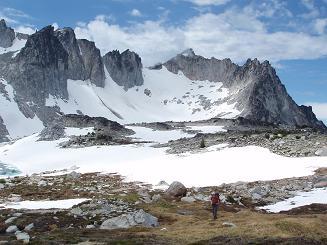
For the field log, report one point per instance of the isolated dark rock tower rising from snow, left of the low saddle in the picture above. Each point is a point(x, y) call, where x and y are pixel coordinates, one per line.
point(124, 68)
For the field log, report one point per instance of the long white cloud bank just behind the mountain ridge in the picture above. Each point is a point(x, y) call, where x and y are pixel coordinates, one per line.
point(235, 33)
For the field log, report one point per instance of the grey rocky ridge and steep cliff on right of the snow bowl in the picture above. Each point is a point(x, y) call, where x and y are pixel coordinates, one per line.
point(254, 87)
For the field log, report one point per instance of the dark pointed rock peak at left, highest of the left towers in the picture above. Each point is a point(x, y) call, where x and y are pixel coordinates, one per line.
point(40, 68)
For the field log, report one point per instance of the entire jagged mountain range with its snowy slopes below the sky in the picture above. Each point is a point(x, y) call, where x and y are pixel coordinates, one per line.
point(54, 64)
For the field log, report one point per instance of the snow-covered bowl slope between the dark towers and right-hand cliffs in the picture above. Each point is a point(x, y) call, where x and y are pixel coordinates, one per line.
point(163, 96)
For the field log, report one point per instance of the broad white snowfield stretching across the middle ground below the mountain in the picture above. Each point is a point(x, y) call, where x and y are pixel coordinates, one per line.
point(141, 162)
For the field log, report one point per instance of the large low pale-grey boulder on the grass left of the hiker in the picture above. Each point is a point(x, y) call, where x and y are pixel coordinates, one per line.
point(137, 218)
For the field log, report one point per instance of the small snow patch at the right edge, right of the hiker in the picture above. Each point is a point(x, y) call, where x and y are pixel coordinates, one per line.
point(301, 199)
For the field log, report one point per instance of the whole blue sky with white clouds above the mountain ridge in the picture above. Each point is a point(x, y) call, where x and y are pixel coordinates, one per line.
point(291, 34)
